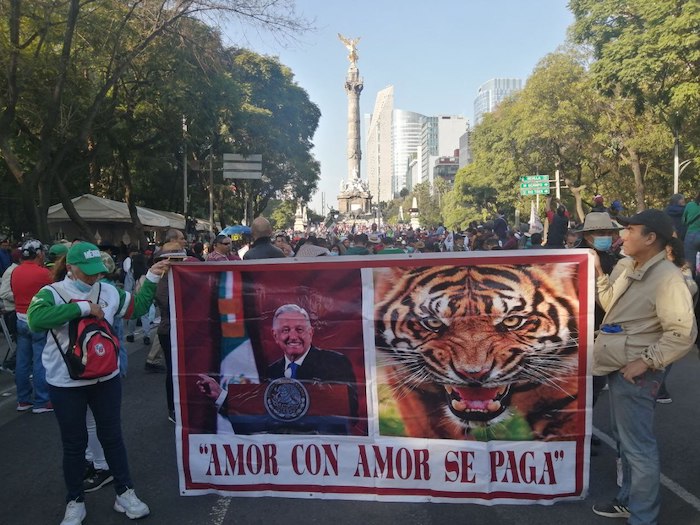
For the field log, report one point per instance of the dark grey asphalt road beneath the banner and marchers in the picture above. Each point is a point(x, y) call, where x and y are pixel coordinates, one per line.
point(33, 491)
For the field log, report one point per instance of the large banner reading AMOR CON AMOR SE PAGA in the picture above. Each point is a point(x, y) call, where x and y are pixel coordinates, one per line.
point(441, 377)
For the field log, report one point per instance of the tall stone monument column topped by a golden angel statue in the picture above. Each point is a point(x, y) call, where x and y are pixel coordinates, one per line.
point(354, 199)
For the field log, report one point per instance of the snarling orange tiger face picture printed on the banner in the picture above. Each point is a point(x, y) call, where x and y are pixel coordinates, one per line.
point(470, 346)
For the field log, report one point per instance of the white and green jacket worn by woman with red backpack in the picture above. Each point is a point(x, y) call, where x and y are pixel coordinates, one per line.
point(48, 311)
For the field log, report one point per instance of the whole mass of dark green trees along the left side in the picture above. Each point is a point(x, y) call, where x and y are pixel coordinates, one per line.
point(93, 96)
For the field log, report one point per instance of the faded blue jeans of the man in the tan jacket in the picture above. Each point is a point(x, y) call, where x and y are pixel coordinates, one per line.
point(632, 414)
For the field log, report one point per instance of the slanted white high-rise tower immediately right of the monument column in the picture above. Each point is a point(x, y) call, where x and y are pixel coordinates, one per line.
point(380, 147)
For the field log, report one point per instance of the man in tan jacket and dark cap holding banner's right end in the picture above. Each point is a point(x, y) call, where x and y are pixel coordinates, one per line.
point(649, 324)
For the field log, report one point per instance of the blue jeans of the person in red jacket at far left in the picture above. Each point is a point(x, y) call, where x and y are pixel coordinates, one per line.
point(30, 346)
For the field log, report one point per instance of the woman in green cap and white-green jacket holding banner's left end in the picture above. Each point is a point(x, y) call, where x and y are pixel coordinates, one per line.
point(78, 295)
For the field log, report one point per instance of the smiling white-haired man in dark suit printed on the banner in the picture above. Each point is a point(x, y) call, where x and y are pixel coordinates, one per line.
point(293, 334)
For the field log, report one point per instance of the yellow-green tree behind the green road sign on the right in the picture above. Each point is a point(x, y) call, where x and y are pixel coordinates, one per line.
point(560, 121)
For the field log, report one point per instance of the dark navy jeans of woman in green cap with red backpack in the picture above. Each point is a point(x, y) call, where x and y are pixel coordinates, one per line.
point(70, 406)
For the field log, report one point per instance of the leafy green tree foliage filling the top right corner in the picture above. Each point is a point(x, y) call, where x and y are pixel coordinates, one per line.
point(649, 53)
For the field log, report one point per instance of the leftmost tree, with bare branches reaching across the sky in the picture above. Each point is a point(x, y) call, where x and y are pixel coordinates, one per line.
point(61, 65)
